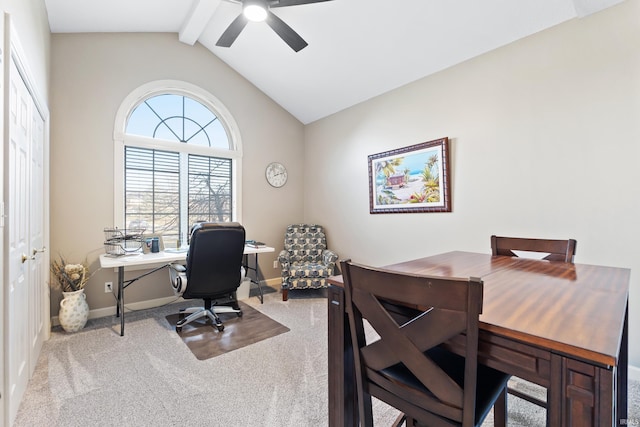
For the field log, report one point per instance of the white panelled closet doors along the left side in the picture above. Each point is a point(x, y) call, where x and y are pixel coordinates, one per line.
point(26, 296)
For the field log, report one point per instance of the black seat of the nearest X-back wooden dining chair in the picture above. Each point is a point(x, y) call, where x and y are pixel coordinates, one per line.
point(490, 382)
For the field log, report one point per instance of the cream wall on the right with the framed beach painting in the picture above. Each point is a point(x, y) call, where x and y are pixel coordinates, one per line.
point(545, 141)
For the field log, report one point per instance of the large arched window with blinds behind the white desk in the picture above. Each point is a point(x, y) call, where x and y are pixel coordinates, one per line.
point(177, 161)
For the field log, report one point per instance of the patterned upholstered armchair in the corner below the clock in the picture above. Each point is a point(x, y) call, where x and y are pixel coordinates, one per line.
point(306, 262)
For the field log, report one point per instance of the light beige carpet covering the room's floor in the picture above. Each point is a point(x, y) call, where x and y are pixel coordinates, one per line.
point(149, 377)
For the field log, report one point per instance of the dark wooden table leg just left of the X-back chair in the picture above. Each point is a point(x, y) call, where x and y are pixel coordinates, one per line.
point(342, 393)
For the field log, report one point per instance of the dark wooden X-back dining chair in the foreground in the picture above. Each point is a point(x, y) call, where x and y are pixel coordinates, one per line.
point(406, 367)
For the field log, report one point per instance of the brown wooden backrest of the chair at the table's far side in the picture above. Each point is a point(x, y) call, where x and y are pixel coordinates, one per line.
point(558, 250)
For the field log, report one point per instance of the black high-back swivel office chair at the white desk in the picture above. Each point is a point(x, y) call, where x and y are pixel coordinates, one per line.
point(213, 272)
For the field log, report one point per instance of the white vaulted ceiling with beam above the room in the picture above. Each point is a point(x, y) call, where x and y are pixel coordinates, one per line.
point(358, 49)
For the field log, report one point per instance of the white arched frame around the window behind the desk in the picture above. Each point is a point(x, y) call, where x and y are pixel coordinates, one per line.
point(121, 139)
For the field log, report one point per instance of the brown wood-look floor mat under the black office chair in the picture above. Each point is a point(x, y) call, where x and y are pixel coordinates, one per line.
point(205, 342)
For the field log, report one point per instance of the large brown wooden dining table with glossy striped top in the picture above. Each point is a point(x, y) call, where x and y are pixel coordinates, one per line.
point(562, 326)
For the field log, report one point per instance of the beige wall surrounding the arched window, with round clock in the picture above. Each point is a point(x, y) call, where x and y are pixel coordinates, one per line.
point(91, 76)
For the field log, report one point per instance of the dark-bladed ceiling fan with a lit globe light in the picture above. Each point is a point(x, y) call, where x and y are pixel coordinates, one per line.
point(259, 10)
